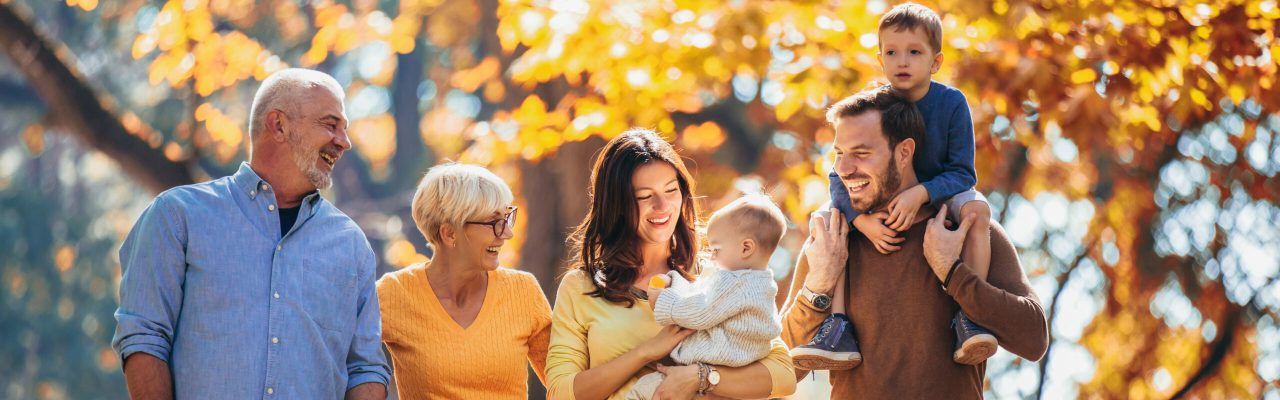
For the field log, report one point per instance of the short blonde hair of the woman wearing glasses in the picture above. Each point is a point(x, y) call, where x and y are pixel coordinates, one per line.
point(452, 194)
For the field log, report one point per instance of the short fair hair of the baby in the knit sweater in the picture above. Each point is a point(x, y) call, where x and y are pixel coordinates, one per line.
point(756, 216)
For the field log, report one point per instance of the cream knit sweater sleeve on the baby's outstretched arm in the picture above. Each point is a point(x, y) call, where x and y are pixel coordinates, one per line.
point(706, 307)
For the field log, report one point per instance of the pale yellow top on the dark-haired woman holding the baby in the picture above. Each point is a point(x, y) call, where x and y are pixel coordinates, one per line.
point(591, 331)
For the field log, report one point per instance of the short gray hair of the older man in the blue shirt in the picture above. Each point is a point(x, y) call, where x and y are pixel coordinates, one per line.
point(282, 92)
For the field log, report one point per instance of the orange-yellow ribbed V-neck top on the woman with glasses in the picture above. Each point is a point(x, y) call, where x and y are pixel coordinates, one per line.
point(436, 358)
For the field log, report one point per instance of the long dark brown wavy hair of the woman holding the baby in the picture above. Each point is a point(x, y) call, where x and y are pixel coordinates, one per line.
point(607, 244)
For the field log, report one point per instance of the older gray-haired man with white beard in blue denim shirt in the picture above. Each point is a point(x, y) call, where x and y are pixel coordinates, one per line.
point(254, 285)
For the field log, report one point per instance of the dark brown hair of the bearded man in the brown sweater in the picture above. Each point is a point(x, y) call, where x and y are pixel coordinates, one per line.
point(900, 120)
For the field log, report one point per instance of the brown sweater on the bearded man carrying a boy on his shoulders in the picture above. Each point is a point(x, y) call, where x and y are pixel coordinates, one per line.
point(903, 320)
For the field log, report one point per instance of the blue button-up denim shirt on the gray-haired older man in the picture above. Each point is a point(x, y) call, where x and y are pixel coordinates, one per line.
point(240, 310)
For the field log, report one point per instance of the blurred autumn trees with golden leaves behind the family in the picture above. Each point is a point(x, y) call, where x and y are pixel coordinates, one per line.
point(1131, 149)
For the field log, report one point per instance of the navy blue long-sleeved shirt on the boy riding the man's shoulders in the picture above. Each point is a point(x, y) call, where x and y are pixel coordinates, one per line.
point(944, 160)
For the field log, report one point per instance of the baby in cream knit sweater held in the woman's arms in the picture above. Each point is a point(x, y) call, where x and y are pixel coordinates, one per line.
point(733, 306)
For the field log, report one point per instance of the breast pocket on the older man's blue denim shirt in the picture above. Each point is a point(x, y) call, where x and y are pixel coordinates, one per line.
point(327, 289)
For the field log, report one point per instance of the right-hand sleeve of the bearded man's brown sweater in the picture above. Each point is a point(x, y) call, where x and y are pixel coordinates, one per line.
point(1005, 303)
